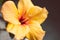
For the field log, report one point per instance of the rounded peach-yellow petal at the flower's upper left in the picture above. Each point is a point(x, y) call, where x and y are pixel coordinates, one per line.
point(10, 12)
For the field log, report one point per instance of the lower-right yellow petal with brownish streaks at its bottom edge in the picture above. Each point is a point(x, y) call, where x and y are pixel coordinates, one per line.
point(36, 31)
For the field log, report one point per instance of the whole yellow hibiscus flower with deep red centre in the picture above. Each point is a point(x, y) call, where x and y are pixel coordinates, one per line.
point(24, 20)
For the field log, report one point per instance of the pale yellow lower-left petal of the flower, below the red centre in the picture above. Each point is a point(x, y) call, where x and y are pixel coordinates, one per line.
point(18, 30)
